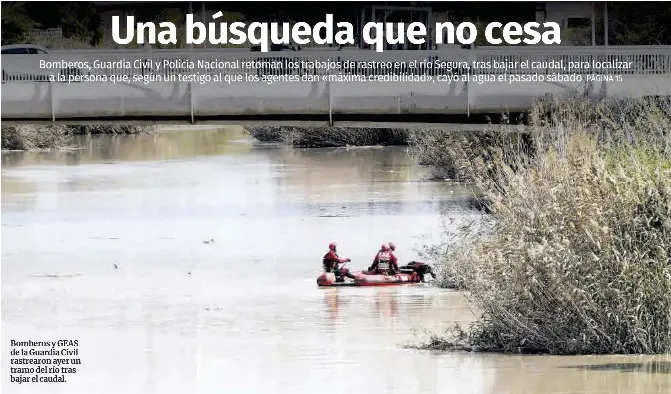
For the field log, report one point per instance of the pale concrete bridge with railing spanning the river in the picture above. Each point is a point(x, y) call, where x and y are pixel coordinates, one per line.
point(327, 87)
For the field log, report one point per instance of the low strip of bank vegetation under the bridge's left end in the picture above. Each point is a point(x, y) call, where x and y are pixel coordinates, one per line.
point(51, 136)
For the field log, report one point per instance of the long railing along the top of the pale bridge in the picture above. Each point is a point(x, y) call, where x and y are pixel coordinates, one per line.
point(651, 60)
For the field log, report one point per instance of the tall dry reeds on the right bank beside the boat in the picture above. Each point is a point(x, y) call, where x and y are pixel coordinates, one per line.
point(576, 255)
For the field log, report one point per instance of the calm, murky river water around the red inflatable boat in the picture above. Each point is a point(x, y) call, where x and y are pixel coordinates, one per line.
point(242, 314)
